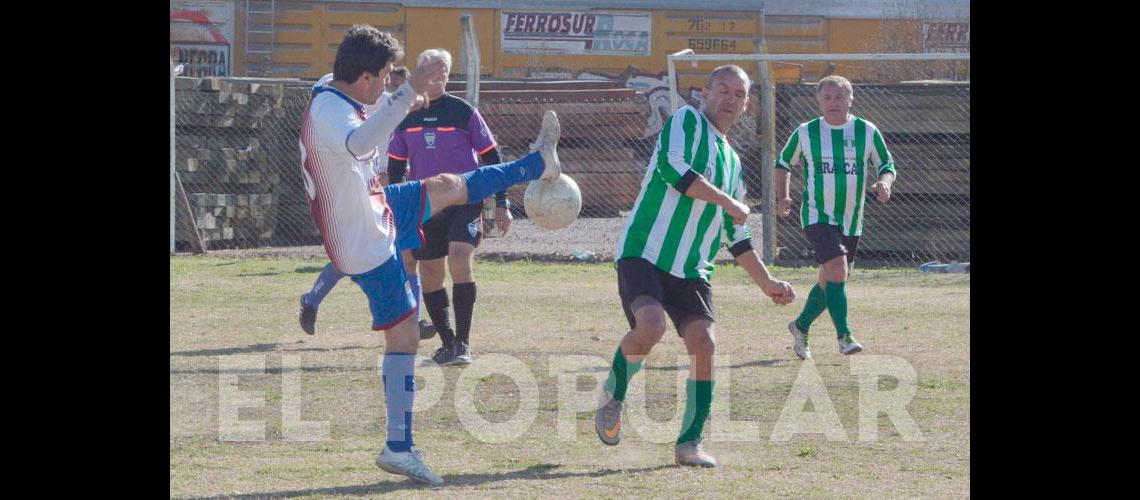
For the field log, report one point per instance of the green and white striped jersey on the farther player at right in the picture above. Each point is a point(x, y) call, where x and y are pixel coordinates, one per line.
point(834, 190)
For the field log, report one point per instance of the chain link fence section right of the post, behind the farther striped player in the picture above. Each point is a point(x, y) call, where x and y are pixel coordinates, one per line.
point(927, 132)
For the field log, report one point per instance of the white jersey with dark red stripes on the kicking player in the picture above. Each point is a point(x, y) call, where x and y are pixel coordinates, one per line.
point(357, 228)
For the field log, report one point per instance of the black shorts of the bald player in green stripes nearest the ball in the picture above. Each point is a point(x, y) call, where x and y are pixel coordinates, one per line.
point(683, 300)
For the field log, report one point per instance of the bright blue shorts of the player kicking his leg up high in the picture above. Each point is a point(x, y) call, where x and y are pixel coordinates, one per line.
point(389, 292)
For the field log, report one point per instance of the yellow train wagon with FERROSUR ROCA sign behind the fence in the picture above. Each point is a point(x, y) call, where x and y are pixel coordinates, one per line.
point(606, 40)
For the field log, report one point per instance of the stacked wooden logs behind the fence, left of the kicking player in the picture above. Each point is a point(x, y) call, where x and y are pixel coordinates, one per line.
point(238, 157)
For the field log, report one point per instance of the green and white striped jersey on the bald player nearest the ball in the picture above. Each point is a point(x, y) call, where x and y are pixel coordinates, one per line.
point(681, 235)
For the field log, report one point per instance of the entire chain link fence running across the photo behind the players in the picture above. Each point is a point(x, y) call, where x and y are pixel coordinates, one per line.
point(239, 162)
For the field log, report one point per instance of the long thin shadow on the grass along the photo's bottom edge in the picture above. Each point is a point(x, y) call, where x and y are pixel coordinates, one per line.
point(541, 472)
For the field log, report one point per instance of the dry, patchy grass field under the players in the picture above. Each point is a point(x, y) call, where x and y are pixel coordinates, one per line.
point(226, 313)
